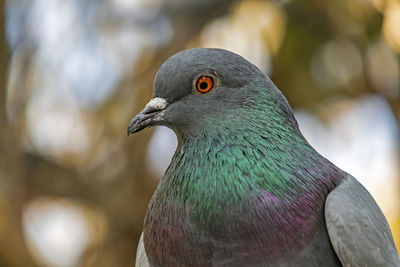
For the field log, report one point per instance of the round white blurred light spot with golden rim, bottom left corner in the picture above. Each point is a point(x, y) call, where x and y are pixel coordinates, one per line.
point(60, 232)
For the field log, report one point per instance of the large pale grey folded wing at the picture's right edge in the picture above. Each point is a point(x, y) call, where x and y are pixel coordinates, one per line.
point(358, 230)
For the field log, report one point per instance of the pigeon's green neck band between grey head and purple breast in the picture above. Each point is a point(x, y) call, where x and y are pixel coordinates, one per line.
point(240, 162)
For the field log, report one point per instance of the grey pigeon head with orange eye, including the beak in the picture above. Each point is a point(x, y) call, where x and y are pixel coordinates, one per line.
point(204, 89)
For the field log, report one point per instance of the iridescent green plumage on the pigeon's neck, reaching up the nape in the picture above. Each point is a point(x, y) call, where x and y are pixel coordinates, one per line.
point(256, 147)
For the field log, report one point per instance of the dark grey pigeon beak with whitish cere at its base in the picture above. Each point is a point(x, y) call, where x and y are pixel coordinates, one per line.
point(150, 115)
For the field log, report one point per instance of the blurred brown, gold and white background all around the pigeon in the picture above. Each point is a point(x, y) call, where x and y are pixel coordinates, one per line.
point(74, 188)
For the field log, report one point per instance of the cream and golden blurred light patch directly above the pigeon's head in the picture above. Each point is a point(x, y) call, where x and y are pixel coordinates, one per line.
point(255, 30)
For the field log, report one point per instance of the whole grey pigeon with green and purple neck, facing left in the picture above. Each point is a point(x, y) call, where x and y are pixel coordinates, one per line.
point(244, 187)
